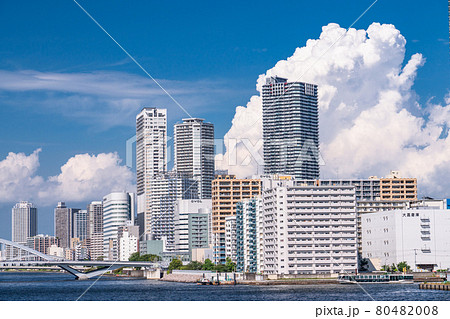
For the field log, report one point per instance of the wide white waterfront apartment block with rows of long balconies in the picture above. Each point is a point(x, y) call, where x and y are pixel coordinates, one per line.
point(309, 229)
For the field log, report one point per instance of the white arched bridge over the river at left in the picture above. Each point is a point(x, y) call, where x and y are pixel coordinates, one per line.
point(15, 255)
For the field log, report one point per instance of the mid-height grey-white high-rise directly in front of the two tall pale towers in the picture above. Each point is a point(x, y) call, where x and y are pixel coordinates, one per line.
point(167, 189)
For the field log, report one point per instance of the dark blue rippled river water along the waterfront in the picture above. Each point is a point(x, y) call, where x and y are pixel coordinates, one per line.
point(60, 286)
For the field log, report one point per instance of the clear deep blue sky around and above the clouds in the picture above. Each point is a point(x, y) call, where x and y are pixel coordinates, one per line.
point(209, 53)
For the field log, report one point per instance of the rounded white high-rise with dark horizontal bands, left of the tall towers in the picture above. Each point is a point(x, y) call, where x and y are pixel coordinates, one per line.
point(118, 209)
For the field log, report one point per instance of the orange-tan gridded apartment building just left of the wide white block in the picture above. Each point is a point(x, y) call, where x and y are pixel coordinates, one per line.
point(227, 191)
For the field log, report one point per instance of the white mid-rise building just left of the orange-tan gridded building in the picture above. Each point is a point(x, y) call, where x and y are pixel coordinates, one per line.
point(192, 224)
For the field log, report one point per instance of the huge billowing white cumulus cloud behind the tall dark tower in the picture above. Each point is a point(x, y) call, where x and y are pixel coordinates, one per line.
point(370, 121)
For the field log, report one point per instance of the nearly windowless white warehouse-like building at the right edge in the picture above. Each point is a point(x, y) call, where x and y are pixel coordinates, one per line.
point(421, 237)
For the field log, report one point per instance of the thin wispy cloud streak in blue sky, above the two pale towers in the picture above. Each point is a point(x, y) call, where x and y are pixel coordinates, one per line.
point(105, 98)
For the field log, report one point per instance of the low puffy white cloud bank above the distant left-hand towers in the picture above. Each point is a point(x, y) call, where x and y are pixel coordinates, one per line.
point(84, 177)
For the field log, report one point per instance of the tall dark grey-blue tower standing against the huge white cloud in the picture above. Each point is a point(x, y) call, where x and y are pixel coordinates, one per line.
point(290, 128)
